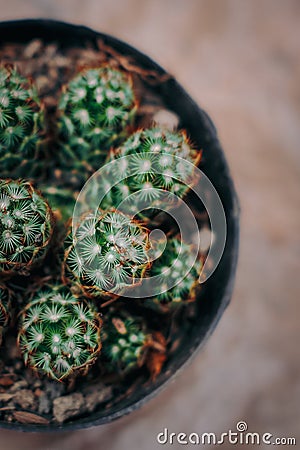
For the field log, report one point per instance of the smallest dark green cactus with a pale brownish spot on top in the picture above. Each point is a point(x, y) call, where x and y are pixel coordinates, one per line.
point(124, 341)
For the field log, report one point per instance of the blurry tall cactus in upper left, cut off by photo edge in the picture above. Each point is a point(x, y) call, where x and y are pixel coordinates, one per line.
point(21, 126)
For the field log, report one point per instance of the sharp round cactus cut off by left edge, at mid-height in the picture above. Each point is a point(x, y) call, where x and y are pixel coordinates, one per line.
point(26, 226)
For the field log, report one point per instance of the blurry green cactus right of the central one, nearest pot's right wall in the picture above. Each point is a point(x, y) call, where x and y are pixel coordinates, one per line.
point(174, 267)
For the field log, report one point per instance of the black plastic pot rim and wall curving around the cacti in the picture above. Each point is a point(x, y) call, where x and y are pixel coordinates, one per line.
point(218, 288)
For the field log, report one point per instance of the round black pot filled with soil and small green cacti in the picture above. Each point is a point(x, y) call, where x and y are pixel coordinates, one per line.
point(100, 262)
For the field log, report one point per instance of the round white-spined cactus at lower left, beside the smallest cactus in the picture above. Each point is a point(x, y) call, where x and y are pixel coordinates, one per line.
point(59, 334)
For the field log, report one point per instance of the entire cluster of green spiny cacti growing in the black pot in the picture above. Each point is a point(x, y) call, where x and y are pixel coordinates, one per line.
point(108, 253)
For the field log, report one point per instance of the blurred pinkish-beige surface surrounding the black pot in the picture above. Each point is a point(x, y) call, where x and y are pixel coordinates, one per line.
point(240, 61)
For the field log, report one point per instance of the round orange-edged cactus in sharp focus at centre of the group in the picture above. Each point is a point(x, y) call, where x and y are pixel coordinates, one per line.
point(108, 254)
